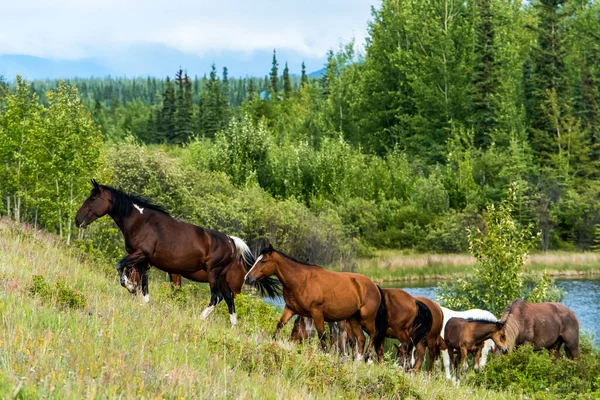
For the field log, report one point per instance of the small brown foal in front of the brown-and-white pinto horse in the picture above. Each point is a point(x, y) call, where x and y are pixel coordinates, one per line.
point(467, 335)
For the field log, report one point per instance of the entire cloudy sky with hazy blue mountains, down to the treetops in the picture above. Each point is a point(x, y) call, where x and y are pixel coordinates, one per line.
point(152, 37)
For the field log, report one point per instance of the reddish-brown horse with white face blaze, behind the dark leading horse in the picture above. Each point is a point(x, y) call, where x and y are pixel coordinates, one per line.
point(312, 291)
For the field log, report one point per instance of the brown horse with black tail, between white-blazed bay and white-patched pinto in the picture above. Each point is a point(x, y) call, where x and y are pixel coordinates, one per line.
point(409, 320)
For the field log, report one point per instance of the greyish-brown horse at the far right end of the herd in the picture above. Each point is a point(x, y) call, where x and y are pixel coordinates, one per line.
point(542, 325)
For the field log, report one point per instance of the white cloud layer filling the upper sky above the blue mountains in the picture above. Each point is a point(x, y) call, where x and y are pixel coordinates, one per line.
point(70, 29)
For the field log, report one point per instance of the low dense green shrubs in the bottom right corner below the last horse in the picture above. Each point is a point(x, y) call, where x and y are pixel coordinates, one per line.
point(528, 372)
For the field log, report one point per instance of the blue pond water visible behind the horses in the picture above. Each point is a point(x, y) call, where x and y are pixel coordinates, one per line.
point(583, 297)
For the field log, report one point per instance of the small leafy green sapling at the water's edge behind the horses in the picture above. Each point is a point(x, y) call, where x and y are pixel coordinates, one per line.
point(500, 248)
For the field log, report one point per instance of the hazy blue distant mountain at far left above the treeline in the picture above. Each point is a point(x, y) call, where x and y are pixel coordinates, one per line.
point(31, 67)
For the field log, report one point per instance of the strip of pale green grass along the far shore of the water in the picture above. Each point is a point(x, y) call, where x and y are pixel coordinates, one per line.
point(397, 265)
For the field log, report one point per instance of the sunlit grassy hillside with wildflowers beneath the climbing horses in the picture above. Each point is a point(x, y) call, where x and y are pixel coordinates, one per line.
point(117, 347)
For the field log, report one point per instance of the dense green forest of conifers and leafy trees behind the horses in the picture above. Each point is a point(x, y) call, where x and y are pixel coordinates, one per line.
point(404, 145)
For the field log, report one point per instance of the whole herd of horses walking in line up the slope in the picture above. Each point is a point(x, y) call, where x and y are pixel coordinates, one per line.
point(351, 303)
